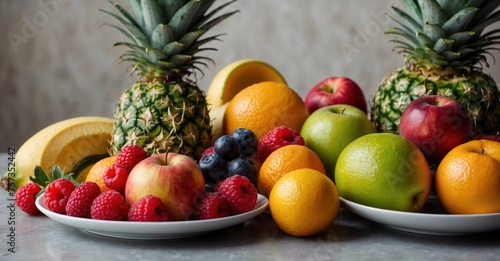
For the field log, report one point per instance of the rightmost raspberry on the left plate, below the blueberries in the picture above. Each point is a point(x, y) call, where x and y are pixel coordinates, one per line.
point(239, 192)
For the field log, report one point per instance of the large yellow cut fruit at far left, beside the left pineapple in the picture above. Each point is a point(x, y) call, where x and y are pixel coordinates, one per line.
point(73, 144)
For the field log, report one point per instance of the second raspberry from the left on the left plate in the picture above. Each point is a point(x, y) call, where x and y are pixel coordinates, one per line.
point(81, 199)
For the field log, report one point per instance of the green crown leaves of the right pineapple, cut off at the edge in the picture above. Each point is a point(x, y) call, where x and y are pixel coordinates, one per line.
point(447, 35)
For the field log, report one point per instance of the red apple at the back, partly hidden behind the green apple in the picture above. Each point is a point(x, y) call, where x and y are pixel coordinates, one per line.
point(335, 90)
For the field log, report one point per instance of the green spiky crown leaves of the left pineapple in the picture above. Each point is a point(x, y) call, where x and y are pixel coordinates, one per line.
point(166, 35)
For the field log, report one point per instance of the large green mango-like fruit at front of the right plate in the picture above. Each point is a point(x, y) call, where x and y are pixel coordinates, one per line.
point(384, 170)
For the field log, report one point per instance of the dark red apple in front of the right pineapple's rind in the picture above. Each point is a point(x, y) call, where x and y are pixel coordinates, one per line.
point(436, 124)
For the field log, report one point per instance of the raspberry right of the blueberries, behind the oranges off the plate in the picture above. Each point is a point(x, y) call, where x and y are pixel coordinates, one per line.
point(277, 138)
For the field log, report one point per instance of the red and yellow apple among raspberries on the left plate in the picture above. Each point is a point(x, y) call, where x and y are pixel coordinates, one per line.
point(175, 178)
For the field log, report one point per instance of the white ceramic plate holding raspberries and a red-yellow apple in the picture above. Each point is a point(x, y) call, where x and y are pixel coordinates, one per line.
point(153, 230)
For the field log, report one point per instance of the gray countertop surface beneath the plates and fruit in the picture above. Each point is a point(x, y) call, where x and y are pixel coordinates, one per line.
point(349, 238)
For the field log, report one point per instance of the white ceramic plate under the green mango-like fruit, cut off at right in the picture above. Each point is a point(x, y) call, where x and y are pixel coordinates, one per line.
point(427, 223)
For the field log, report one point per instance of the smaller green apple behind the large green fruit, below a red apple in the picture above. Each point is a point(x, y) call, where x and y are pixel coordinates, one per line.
point(329, 129)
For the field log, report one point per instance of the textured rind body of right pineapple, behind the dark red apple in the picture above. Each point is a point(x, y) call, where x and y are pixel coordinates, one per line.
point(477, 92)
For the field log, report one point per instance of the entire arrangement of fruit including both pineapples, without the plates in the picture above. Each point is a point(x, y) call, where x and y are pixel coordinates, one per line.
point(172, 154)
